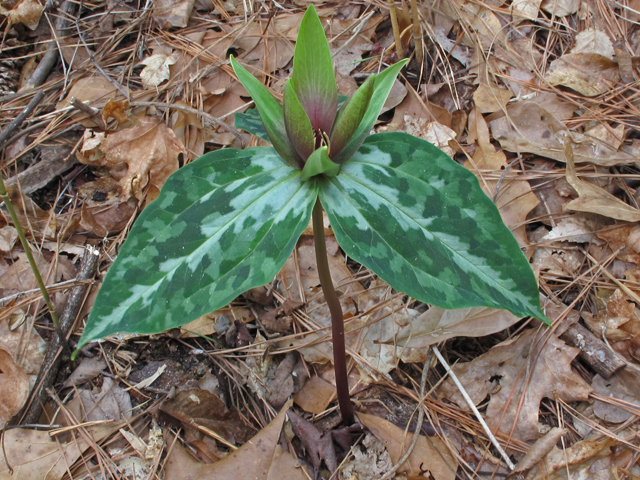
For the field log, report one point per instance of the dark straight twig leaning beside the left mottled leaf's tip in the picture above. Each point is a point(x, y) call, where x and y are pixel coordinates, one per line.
point(52, 359)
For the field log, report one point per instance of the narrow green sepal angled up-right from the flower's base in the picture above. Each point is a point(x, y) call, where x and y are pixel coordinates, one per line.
point(381, 89)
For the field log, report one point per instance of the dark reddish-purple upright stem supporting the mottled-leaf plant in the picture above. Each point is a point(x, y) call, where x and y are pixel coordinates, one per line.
point(337, 320)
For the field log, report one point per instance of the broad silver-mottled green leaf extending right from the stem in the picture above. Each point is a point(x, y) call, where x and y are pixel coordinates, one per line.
point(420, 221)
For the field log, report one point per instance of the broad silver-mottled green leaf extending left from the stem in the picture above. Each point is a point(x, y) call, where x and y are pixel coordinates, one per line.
point(221, 225)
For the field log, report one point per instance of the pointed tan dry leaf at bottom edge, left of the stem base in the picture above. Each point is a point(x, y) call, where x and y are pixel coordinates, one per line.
point(261, 458)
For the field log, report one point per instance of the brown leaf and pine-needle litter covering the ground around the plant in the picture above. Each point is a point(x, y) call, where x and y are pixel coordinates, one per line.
point(500, 91)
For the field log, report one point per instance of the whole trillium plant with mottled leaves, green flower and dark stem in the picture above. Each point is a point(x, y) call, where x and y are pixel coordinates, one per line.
point(228, 221)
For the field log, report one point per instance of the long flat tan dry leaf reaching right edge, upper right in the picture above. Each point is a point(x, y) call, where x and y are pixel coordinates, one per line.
point(529, 128)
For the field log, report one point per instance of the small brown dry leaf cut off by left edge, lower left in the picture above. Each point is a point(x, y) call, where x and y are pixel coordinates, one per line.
point(14, 388)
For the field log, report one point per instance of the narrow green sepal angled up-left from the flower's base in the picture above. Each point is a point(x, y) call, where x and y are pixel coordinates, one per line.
point(270, 113)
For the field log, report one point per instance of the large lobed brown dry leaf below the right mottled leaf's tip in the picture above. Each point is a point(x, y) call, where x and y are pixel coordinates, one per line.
point(502, 374)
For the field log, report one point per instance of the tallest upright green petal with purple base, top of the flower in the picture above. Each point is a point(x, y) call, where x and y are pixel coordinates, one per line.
point(313, 76)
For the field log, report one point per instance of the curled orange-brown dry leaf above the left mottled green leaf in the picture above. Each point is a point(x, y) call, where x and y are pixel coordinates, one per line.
point(150, 151)
